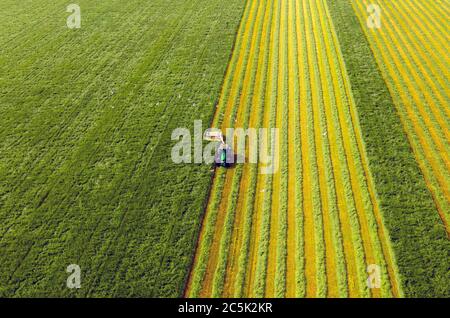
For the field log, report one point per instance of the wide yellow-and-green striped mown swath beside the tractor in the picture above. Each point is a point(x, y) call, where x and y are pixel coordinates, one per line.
point(312, 228)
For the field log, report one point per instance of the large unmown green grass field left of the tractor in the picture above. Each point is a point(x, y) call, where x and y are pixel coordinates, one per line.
point(85, 122)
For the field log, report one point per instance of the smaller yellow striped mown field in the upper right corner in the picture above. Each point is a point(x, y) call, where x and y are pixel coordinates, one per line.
point(411, 50)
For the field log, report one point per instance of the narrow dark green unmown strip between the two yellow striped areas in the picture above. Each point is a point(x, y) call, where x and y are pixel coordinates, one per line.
point(406, 205)
